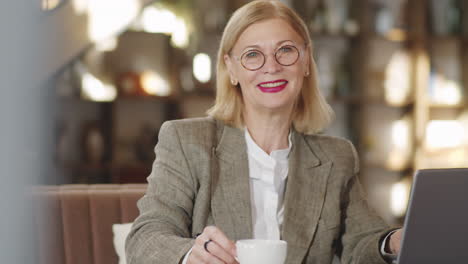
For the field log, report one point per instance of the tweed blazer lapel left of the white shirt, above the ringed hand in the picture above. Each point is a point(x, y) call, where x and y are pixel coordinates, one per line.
point(230, 185)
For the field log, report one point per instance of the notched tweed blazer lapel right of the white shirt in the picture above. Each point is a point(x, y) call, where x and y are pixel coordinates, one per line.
point(304, 197)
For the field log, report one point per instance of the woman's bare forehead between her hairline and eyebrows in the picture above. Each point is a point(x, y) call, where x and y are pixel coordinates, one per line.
point(267, 33)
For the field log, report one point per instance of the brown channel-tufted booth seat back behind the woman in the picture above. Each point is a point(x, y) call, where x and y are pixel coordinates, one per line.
point(74, 222)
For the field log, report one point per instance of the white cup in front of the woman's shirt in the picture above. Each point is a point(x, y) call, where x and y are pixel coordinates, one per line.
point(258, 251)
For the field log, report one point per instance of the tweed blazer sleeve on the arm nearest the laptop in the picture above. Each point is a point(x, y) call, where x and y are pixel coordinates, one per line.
point(363, 229)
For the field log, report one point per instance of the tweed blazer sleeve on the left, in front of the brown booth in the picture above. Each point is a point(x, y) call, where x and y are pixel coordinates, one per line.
point(161, 233)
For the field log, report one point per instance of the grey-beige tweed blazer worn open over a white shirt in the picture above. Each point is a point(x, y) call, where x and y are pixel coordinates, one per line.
point(200, 177)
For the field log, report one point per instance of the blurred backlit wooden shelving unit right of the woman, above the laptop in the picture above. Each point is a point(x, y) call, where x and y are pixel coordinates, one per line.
point(366, 96)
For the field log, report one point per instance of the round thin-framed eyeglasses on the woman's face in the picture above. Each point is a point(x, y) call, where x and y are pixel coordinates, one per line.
point(253, 60)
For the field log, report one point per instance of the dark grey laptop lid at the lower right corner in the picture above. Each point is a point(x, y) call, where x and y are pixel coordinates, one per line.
point(436, 223)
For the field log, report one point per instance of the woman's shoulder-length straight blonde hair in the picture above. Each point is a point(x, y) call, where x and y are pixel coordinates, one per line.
point(311, 113)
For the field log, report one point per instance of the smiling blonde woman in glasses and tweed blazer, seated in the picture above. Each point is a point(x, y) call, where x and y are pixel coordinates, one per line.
point(255, 168)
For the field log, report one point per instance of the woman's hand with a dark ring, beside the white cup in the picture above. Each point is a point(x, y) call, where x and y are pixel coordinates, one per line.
point(220, 250)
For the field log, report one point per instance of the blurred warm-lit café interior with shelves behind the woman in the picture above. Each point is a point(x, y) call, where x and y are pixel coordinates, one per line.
point(393, 71)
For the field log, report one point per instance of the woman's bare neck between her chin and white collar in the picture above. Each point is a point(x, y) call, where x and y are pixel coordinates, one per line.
point(271, 131)
